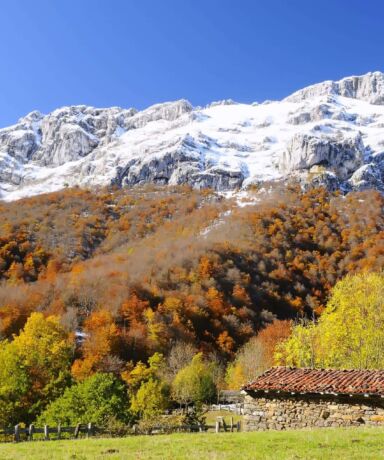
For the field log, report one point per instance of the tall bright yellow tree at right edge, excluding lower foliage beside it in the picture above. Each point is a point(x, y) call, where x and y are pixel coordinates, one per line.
point(352, 326)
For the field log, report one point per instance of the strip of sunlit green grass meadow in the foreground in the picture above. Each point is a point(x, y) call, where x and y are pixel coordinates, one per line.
point(353, 443)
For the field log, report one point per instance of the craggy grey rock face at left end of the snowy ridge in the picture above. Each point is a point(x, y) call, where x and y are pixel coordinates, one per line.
point(64, 135)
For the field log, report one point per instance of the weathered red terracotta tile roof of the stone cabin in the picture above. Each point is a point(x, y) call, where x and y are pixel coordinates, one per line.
point(294, 380)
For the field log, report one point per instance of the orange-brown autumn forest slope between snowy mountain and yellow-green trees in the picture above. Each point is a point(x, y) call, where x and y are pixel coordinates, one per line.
point(176, 264)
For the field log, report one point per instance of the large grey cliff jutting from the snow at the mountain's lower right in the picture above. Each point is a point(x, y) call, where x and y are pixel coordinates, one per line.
point(342, 156)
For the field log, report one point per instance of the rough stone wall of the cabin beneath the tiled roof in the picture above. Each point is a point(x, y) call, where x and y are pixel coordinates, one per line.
point(279, 412)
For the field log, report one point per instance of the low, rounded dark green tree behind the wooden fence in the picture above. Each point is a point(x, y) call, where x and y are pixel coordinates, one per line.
point(96, 399)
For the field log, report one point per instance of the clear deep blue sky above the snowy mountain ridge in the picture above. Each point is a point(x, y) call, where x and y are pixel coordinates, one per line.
point(133, 53)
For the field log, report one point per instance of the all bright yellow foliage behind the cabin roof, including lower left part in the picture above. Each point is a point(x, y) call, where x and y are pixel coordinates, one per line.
point(350, 332)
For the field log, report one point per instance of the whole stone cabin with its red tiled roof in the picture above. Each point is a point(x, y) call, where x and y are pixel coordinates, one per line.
point(286, 398)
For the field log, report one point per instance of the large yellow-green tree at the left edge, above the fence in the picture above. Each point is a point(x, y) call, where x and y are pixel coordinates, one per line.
point(34, 368)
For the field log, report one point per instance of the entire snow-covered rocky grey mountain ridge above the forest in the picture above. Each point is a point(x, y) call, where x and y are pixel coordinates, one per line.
point(331, 133)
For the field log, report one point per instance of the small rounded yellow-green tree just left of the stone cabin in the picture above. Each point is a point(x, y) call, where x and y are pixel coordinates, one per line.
point(195, 382)
